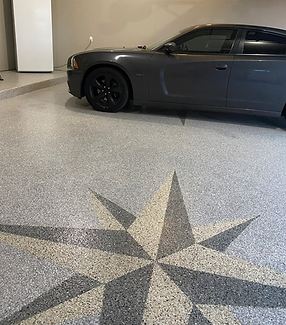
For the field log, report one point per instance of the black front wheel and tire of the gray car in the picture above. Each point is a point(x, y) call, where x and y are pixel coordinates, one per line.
point(106, 89)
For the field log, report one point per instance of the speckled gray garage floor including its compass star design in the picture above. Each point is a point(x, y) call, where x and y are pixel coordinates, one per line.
point(140, 217)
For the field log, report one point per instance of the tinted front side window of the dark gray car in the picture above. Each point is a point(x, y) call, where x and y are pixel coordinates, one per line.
point(208, 41)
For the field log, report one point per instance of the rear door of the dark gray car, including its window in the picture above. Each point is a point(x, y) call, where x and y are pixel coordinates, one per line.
point(258, 76)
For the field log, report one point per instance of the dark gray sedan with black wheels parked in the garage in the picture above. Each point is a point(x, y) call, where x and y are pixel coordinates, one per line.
point(214, 67)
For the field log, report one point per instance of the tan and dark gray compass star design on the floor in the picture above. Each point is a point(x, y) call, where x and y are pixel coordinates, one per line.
point(153, 269)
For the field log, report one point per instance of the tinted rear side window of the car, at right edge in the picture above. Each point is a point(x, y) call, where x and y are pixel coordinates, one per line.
point(258, 42)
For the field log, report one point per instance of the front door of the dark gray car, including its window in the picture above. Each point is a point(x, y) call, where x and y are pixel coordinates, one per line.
point(197, 73)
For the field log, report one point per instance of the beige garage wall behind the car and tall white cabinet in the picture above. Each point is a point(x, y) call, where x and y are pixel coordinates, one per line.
point(133, 22)
